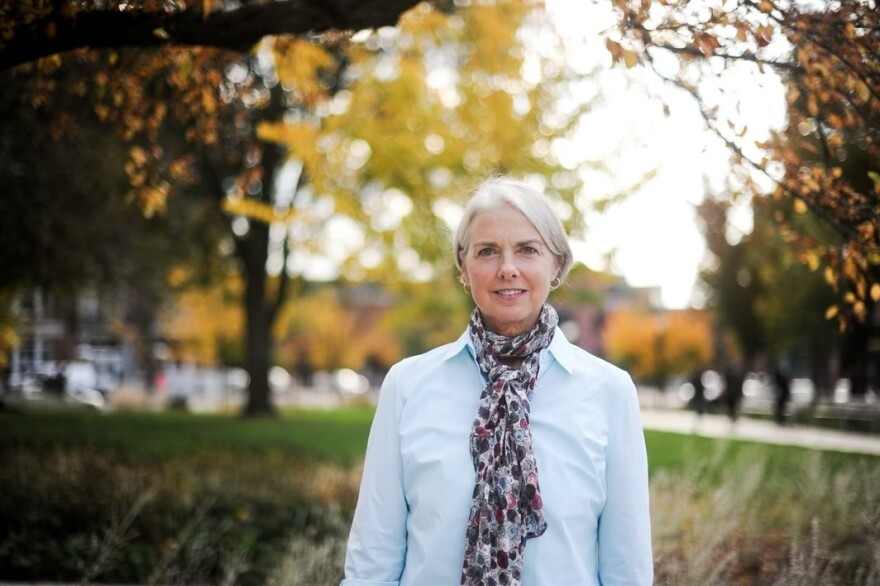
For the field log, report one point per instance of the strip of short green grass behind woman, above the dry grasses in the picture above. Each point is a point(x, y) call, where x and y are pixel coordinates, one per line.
point(338, 436)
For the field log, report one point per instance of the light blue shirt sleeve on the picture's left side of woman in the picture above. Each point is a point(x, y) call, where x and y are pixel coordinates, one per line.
point(377, 542)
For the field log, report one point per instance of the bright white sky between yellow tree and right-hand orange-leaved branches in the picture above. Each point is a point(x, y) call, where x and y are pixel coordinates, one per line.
point(652, 239)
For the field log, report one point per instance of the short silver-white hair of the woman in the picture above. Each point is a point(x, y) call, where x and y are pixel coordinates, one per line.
point(534, 205)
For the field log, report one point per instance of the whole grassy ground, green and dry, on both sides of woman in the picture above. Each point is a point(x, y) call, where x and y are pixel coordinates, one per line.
point(177, 498)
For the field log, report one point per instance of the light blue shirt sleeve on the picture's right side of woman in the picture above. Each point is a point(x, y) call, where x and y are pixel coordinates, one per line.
point(625, 555)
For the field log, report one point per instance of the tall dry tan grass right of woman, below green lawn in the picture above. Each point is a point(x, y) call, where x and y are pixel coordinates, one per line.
point(757, 527)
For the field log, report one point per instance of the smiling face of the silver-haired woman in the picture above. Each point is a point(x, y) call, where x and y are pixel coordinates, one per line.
point(509, 269)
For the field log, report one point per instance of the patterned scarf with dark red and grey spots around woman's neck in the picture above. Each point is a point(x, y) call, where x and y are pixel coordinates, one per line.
point(506, 509)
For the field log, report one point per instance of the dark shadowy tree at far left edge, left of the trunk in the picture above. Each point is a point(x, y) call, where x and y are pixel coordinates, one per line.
point(66, 227)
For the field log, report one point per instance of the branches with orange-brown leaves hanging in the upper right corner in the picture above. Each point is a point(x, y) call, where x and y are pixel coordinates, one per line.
point(826, 55)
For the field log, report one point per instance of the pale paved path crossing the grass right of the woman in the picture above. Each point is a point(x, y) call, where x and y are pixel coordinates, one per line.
point(761, 431)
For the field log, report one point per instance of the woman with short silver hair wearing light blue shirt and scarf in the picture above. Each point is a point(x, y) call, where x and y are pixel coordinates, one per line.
point(510, 456)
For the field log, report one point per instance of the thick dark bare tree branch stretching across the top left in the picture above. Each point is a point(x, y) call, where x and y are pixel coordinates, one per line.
point(238, 29)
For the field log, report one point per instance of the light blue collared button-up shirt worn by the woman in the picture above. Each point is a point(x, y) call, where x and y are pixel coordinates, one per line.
point(415, 495)
